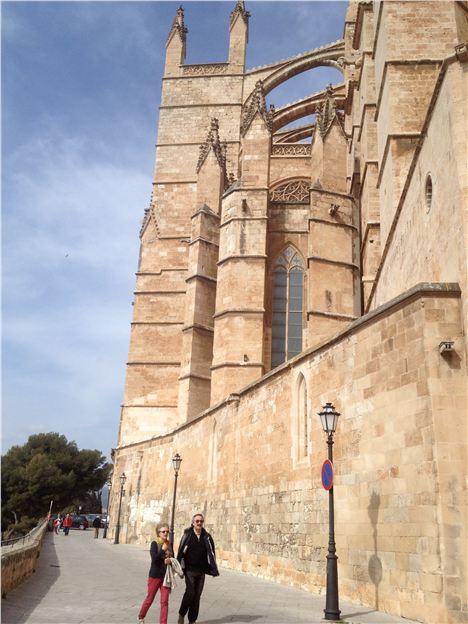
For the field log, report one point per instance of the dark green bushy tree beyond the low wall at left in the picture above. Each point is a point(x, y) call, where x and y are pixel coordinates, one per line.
point(46, 468)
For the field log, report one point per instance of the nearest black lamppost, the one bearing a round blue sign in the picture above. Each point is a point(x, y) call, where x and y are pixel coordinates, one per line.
point(329, 417)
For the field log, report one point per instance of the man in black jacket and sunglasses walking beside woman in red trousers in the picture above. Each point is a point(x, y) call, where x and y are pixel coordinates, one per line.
point(197, 558)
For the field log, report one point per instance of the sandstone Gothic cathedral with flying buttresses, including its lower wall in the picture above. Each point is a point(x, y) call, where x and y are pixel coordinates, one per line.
point(285, 264)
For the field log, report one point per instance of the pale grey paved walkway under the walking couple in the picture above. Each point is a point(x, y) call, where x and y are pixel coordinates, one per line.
point(81, 580)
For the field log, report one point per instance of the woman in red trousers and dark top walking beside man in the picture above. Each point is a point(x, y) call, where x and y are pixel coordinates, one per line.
point(160, 558)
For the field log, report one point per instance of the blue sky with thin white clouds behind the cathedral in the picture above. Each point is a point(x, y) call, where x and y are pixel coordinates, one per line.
point(80, 93)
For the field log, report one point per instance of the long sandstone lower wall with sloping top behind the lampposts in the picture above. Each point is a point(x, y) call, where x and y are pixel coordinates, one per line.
point(399, 466)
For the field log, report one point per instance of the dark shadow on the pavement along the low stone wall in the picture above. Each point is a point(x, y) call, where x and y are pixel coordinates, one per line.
point(14, 608)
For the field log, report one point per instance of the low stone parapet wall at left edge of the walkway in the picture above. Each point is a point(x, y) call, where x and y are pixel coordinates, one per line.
point(19, 560)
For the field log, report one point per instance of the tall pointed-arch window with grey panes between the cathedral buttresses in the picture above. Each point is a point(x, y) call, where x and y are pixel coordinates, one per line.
point(288, 284)
